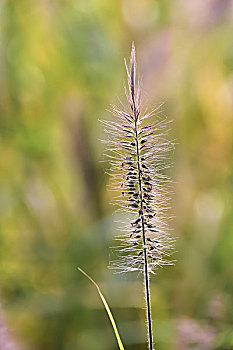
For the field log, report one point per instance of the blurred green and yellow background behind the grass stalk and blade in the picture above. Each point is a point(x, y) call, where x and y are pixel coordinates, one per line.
point(61, 66)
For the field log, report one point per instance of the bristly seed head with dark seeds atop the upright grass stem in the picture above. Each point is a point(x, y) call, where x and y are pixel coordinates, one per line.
point(138, 151)
